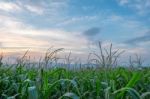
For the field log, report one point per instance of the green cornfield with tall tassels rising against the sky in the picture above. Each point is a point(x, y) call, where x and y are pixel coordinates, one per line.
point(104, 82)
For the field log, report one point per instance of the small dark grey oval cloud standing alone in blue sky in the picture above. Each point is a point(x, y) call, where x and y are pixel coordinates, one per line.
point(92, 32)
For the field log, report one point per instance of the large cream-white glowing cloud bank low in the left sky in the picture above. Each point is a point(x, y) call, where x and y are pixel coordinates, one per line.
point(23, 36)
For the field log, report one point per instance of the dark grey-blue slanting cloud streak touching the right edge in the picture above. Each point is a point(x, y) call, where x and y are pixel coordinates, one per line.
point(141, 39)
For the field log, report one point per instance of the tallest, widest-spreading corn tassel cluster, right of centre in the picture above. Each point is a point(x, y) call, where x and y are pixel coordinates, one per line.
point(106, 58)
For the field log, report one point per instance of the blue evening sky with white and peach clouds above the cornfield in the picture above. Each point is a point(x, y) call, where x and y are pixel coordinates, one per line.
point(76, 25)
